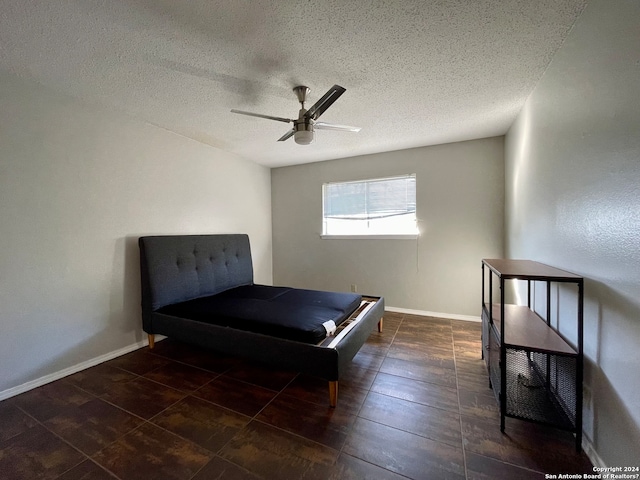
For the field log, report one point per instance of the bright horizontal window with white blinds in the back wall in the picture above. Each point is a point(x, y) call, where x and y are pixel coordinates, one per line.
point(381, 206)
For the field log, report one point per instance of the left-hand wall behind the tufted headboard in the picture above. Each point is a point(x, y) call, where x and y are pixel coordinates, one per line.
point(78, 185)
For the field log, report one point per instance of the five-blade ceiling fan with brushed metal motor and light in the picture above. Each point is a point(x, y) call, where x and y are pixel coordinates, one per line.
point(304, 127)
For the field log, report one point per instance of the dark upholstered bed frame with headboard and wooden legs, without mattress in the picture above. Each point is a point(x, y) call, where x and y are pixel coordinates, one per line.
point(178, 268)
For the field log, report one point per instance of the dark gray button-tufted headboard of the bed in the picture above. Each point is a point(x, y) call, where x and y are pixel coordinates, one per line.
point(176, 268)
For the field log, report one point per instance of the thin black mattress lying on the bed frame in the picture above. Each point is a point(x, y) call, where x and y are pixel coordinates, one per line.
point(307, 316)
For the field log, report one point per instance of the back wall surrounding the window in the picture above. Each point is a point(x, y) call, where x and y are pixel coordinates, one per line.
point(460, 198)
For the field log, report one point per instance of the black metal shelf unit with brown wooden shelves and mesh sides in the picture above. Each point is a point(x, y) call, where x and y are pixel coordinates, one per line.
point(535, 373)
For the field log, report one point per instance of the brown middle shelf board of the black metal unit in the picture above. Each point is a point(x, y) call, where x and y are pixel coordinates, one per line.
point(525, 328)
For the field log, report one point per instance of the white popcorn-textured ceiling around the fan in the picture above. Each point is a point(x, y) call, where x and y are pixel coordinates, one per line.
point(417, 72)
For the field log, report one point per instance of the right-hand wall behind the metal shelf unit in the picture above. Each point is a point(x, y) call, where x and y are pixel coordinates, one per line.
point(573, 201)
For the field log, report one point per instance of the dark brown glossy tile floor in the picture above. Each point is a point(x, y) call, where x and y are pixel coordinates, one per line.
point(414, 404)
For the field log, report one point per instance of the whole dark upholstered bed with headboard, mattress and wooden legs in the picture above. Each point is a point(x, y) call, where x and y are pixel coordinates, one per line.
point(199, 289)
